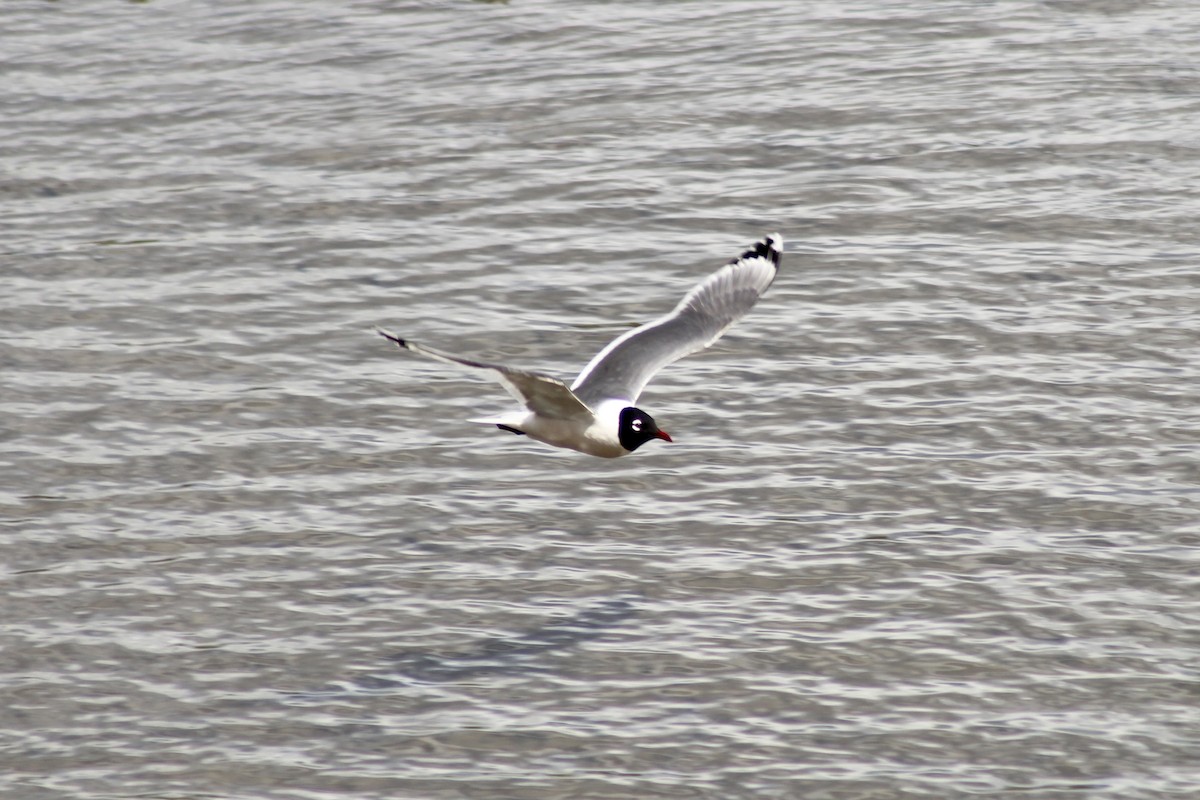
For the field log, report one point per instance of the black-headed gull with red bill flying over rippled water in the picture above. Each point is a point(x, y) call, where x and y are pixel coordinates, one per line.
point(597, 414)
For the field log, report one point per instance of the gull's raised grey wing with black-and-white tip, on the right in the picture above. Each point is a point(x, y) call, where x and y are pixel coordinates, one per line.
point(623, 369)
